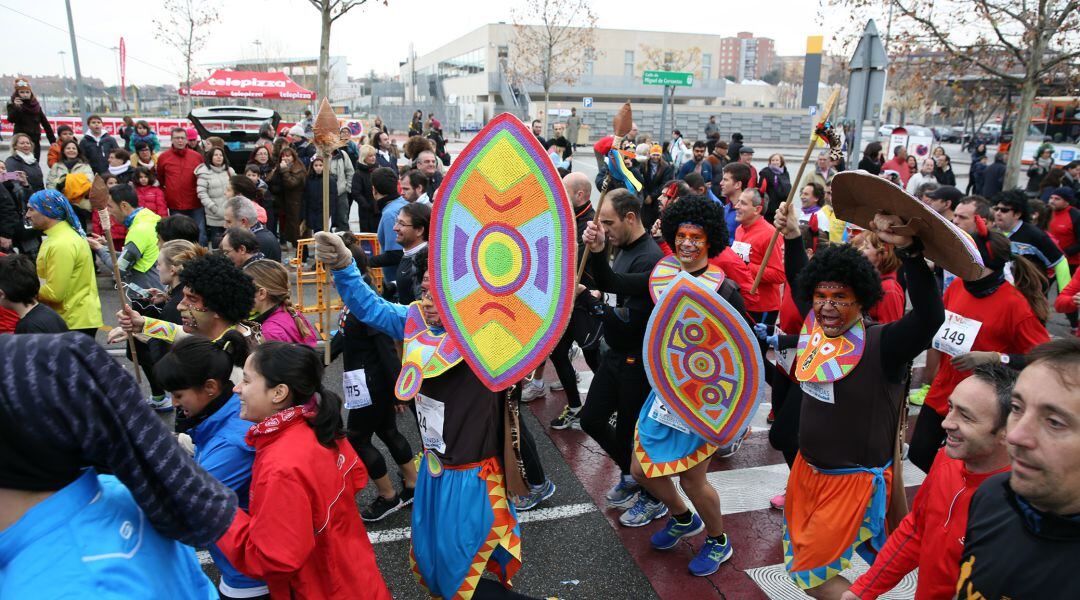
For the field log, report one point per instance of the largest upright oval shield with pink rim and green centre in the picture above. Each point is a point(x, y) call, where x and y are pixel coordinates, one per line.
point(502, 253)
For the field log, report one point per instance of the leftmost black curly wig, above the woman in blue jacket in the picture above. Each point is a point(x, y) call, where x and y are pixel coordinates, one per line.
point(225, 290)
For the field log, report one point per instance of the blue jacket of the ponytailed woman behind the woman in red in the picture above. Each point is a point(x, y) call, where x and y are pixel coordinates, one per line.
point(222, 451)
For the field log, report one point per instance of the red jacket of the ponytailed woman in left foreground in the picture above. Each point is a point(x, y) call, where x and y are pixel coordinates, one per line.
point(303, 535)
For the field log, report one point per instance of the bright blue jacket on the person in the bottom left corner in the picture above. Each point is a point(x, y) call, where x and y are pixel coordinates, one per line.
point(90, 540)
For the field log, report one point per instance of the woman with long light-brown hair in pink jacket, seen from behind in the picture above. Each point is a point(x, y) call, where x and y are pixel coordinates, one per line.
point(274, 307)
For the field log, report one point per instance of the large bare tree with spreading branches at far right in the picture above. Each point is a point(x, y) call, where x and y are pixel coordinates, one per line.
point(1016, 45)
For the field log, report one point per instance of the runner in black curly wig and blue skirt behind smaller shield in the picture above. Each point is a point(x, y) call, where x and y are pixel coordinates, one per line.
point(665, 445)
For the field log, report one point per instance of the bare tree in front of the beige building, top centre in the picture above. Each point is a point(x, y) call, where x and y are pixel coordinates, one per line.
point(555, 51)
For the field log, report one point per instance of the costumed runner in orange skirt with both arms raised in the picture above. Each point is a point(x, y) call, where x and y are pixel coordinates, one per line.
point(853, 379)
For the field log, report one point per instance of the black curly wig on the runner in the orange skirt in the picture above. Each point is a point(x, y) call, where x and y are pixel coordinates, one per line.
point(845, 265)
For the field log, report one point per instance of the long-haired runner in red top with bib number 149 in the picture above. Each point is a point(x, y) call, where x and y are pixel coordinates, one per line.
point(989, 320)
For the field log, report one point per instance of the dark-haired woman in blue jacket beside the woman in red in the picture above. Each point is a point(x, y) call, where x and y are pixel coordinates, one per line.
point(199, 374)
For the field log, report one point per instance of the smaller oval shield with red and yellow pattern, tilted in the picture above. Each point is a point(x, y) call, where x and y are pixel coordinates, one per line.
point(703, 359)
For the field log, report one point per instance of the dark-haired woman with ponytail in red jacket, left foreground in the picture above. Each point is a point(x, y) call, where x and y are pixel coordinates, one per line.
point(302, 535)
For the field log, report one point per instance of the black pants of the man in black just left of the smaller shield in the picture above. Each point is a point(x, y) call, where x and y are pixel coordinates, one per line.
point(620, 385)
